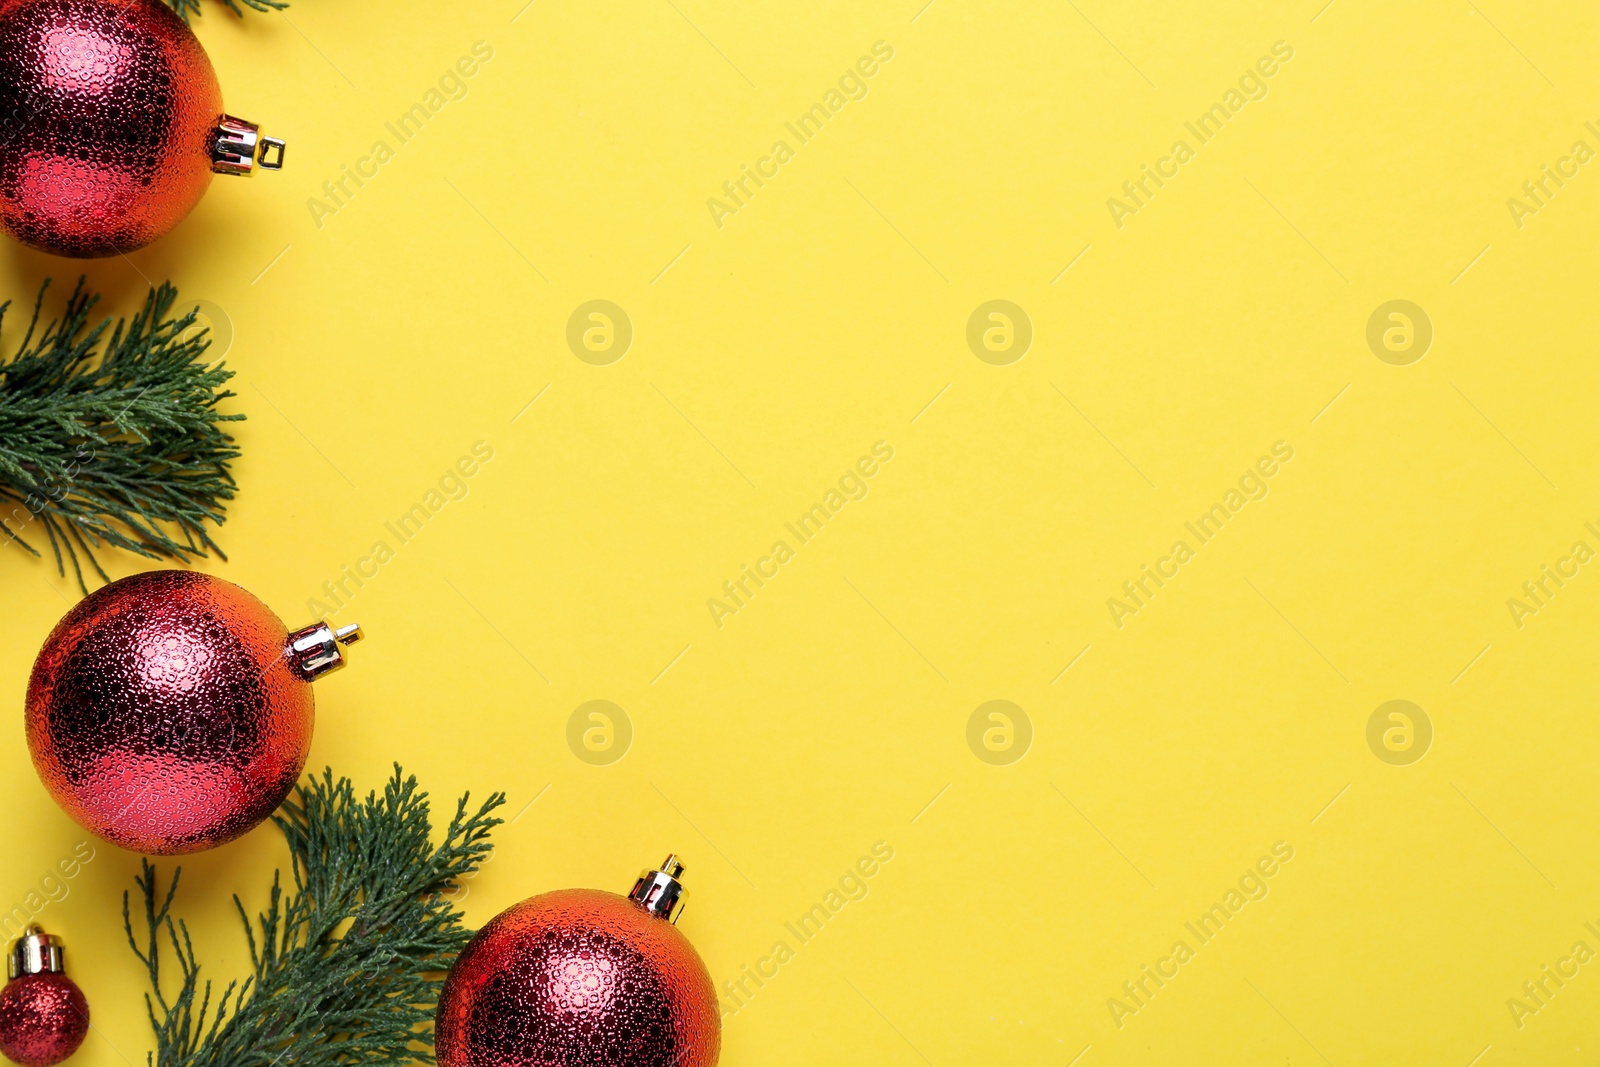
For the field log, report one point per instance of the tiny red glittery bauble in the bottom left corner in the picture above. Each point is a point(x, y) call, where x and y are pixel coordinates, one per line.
point(44, 1017)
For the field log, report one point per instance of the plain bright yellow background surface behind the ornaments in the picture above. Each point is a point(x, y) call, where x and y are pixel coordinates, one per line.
point(825, 316)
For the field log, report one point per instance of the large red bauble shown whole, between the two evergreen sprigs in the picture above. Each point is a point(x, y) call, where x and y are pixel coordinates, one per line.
point(172, 711)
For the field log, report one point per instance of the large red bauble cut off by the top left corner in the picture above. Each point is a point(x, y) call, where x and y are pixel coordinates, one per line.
point(111, 126)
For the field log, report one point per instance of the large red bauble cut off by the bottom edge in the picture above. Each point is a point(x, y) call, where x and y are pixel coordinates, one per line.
point(583, 978)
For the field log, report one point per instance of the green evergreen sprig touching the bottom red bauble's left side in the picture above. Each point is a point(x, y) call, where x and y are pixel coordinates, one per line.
point(350, 962)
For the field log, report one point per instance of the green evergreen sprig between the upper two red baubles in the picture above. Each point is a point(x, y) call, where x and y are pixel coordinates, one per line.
point(116, 444)
